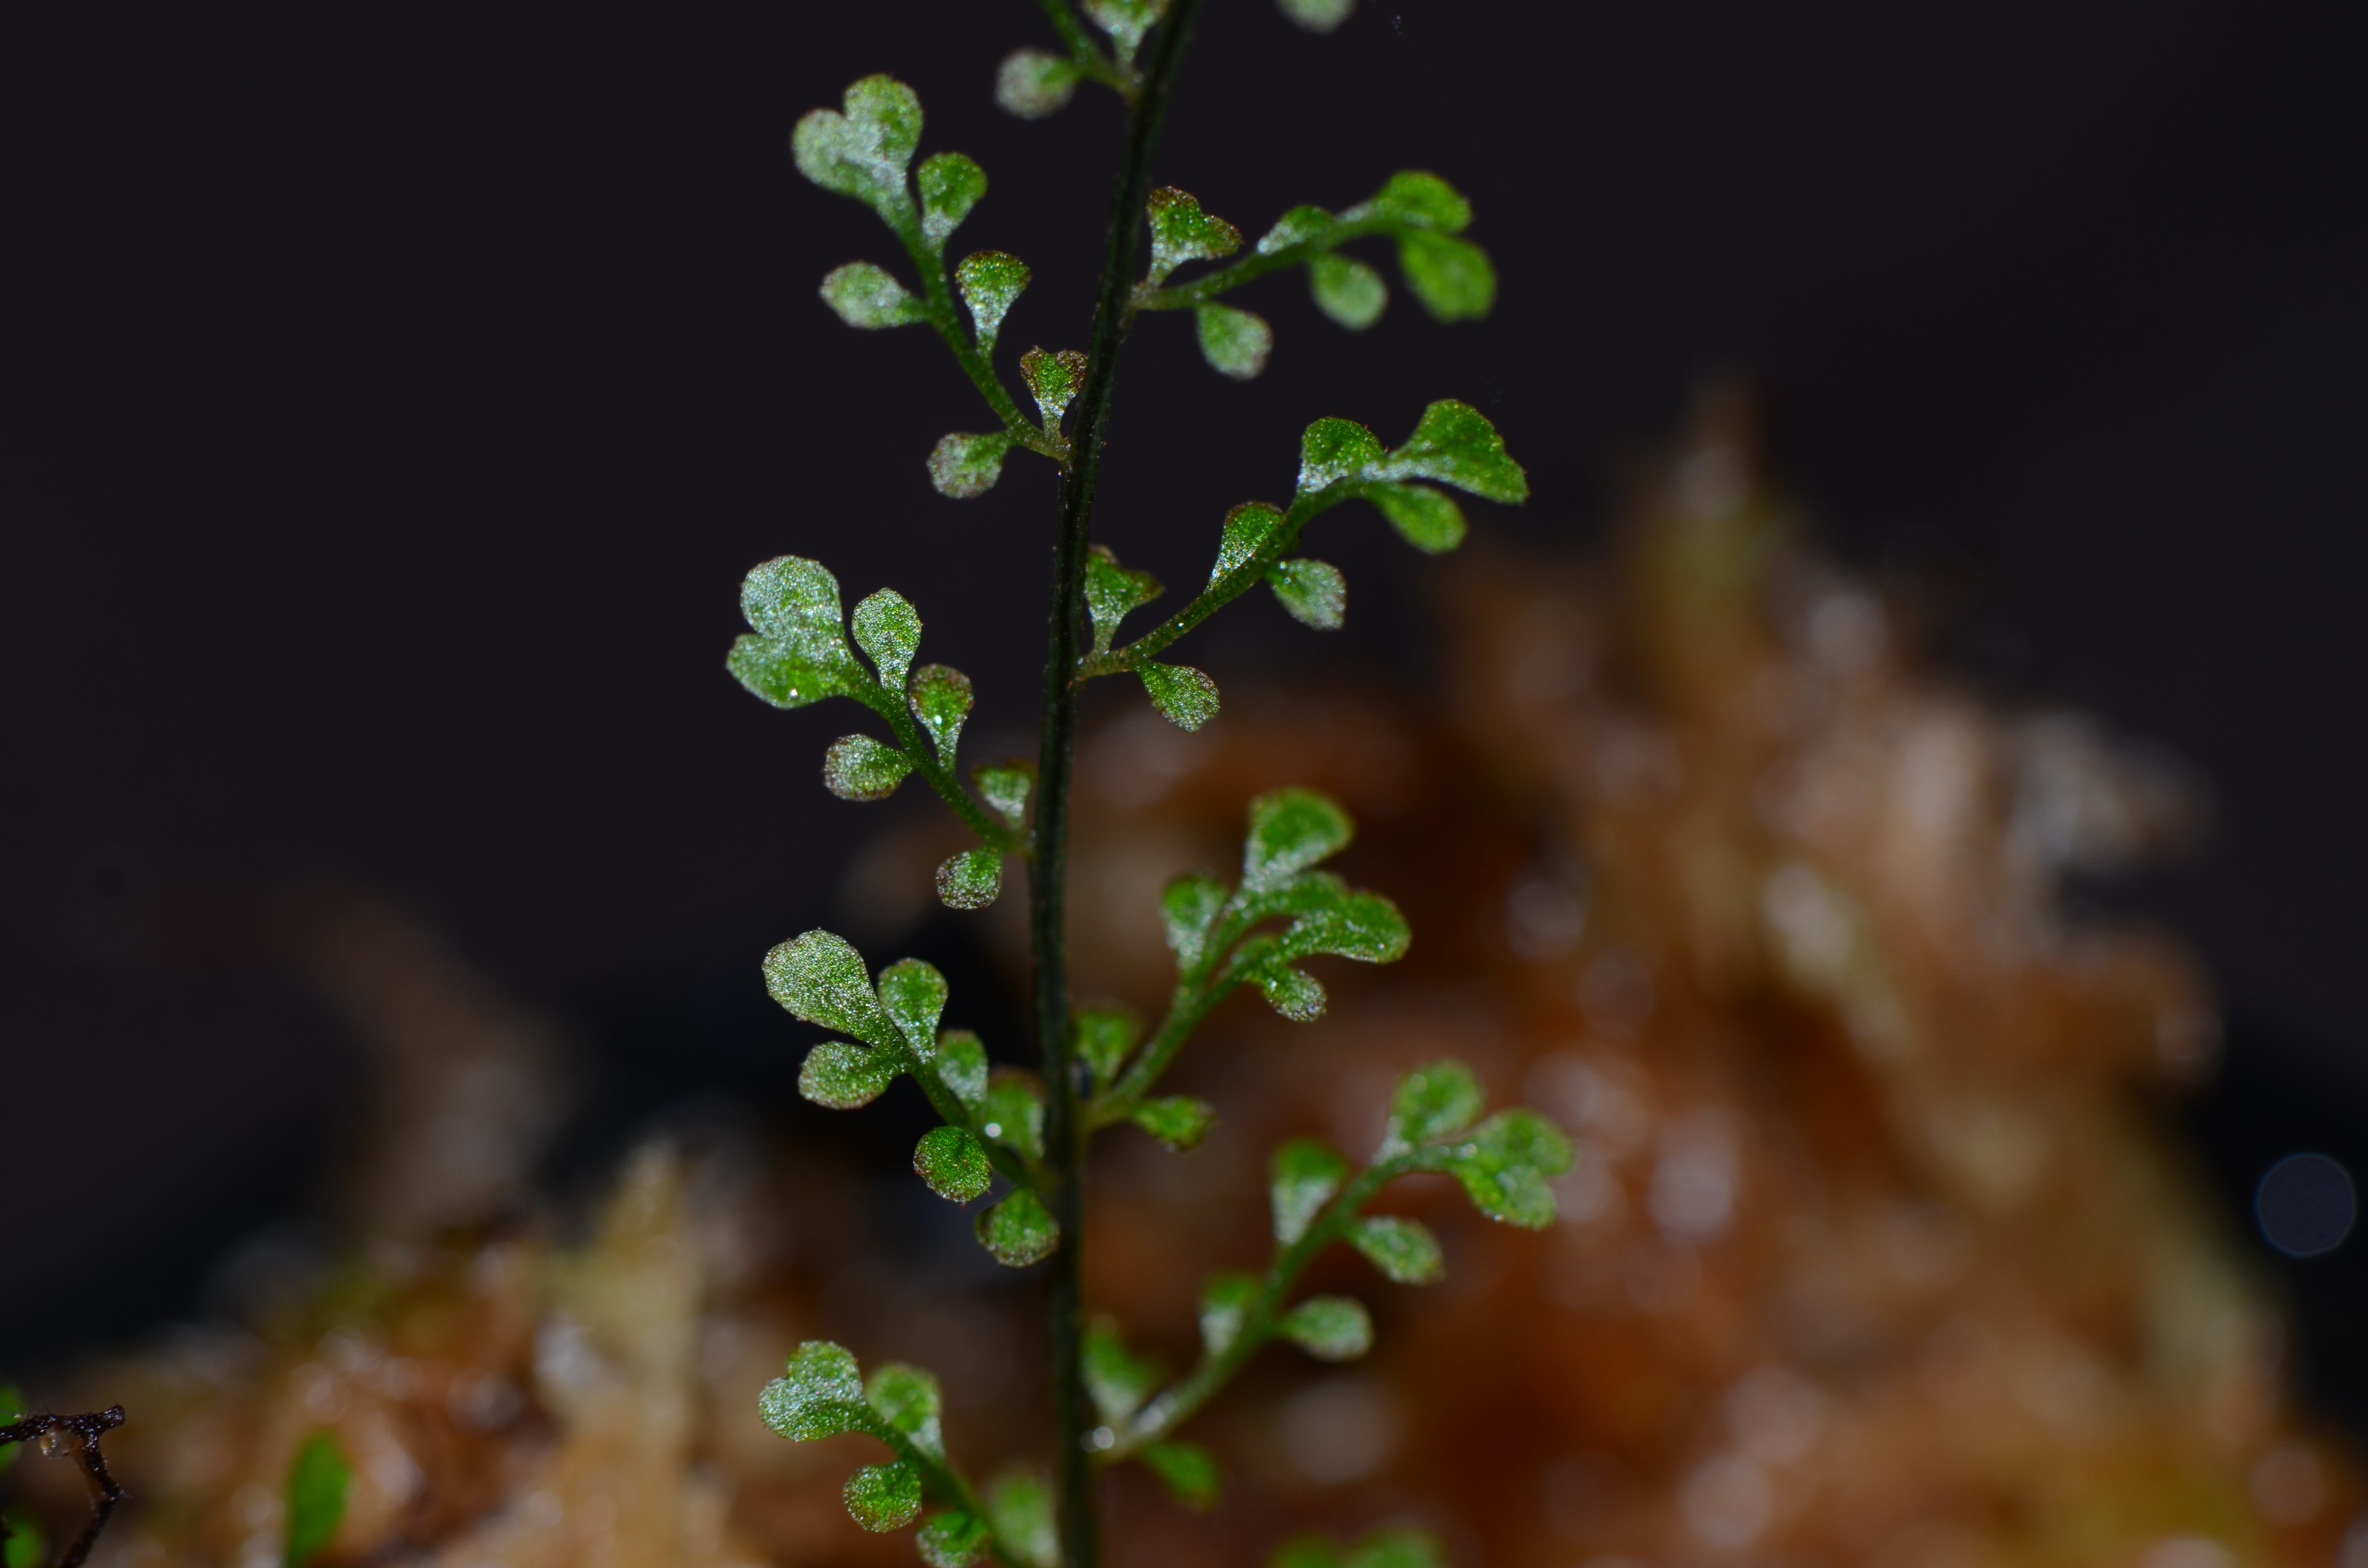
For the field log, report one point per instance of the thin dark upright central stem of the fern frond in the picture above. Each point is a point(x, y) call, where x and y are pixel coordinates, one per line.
point(1048, 880)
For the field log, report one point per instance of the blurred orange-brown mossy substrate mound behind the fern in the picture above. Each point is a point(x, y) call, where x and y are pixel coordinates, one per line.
point(1872, 1252)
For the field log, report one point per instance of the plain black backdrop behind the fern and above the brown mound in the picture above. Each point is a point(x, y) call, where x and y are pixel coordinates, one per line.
point(394, 397)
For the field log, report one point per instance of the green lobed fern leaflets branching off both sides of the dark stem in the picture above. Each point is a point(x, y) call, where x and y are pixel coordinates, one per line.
point(1017, 1143)
